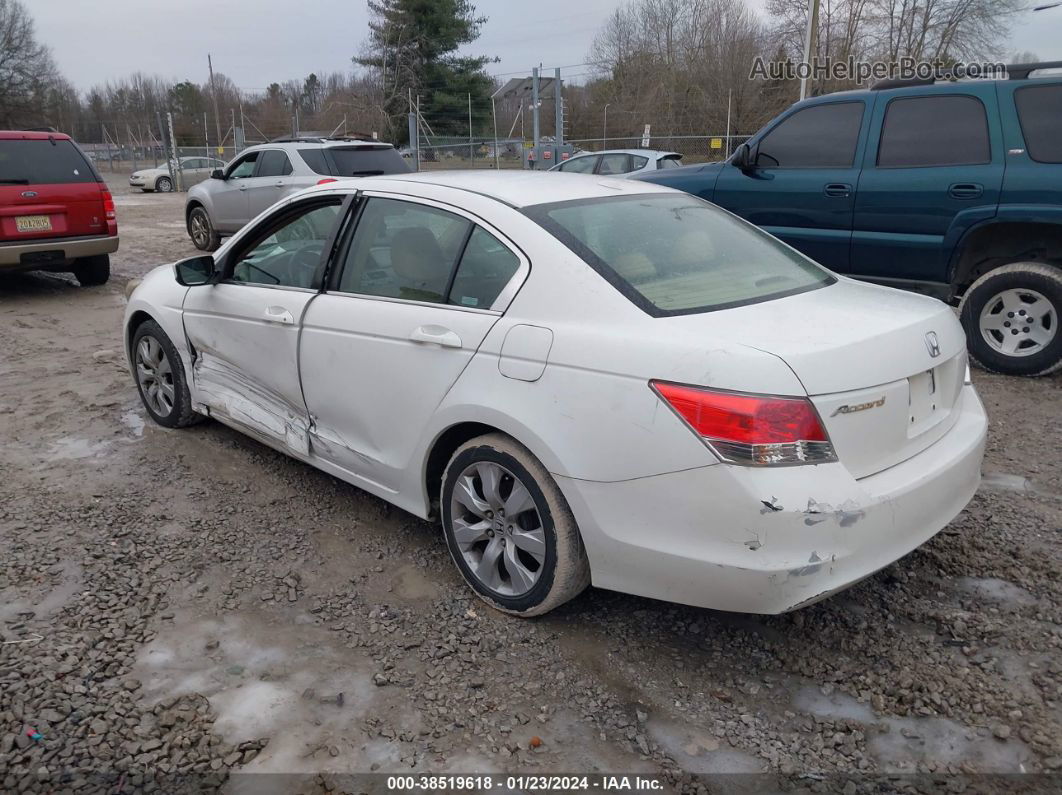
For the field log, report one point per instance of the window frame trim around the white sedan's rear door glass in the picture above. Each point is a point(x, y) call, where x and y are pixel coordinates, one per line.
point(344, 246)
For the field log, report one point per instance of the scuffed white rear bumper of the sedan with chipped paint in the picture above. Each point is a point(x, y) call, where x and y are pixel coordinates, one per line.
point(768, 541)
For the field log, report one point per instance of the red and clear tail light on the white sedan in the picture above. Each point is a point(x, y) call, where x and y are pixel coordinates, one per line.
point(762, 430)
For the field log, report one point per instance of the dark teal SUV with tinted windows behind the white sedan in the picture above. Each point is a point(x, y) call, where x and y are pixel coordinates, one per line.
point(951, 188)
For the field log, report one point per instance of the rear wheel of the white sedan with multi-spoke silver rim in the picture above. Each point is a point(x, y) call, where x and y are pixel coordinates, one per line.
point(510, 530)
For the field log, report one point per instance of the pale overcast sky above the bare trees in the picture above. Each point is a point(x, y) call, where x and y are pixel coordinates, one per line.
point(259, 42)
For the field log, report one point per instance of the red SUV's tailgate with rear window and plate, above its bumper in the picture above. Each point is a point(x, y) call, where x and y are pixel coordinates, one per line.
point(49, 191)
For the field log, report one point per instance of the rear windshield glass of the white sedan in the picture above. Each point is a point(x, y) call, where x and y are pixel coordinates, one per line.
point(679, 255)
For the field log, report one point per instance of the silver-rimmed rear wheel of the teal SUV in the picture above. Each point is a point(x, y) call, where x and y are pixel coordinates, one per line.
point(1012, 318)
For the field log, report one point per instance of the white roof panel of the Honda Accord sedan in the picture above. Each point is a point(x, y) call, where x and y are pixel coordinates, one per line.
point(512, 187)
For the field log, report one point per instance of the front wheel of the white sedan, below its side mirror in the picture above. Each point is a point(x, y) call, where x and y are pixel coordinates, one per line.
point(161, 377)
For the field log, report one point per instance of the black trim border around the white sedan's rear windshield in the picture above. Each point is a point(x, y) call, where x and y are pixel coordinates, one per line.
point(540, 215)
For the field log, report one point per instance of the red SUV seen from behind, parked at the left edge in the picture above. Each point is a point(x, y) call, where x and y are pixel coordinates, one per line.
point(56, 211)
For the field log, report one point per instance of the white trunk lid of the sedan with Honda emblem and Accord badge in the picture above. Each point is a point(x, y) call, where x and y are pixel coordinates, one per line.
point(885, 369)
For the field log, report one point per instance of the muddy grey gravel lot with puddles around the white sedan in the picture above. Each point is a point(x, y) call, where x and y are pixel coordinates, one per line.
point(192, 602)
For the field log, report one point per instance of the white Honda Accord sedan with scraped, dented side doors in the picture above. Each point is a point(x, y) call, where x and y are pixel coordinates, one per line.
point(587, 381)
